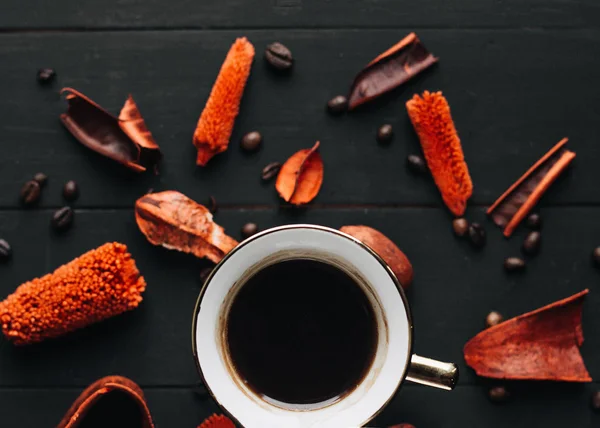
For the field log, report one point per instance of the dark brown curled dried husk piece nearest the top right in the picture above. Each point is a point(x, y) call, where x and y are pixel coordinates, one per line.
point(391, 69)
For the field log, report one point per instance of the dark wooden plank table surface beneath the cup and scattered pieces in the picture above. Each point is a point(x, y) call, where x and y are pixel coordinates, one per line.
point(519, 76)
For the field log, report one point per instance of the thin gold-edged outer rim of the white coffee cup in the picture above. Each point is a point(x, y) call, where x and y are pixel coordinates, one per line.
point(275, 229)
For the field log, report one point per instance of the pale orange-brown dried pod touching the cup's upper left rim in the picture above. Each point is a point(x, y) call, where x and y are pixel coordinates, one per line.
point(176, 222)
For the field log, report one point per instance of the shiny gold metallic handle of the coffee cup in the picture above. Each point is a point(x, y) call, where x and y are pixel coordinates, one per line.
point(432, 373)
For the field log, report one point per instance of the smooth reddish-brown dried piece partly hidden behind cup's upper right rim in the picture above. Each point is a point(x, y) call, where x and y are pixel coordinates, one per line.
point(386, 249)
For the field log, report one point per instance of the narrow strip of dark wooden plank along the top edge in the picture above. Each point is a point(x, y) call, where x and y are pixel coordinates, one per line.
point(296, 13)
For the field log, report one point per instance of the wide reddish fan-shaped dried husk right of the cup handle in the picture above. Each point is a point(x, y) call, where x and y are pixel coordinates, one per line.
point(539, 345)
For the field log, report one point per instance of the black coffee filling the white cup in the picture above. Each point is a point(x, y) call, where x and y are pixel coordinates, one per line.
point(301, 332)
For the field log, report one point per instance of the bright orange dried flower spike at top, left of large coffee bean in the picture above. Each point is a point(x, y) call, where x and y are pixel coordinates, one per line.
point(216, 122)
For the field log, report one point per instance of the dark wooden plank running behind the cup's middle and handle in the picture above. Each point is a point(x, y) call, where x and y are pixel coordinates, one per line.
point(453, 291)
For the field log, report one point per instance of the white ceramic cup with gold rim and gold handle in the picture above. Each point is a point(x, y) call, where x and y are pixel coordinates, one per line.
point(393, 361)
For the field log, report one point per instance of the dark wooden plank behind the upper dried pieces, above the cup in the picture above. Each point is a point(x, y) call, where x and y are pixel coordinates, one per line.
point(513, 95)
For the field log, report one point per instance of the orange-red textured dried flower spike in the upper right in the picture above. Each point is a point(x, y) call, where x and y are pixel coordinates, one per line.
point(430, 116)
